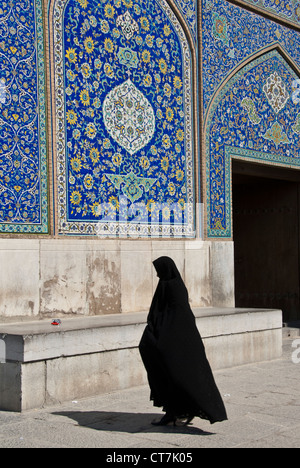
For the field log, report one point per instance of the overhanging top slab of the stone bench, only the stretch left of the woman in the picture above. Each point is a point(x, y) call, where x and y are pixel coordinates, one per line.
point(37, 341)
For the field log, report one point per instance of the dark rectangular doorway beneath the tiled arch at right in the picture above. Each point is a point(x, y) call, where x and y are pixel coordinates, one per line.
point(266, 237)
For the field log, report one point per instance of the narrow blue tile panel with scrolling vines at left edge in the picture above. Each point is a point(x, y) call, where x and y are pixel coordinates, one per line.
point(23, 159)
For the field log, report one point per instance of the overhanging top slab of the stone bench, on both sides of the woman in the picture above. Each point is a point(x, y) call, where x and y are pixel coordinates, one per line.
point(39, 340)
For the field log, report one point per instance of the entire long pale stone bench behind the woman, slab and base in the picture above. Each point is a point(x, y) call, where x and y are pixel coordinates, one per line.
point(42, 364)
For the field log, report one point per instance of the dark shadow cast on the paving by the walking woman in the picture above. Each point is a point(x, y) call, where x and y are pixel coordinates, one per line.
point(131, 423)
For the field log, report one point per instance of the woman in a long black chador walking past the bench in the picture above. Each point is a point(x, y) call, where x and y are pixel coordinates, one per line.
point(179, 375)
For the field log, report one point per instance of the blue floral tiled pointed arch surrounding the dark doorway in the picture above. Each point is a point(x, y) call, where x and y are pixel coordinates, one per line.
point(244, 121)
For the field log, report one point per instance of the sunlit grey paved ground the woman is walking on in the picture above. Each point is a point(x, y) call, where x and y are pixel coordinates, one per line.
point(262, 400)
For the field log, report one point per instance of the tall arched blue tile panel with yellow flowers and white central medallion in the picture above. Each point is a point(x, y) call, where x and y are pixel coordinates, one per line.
point(124, 100)
